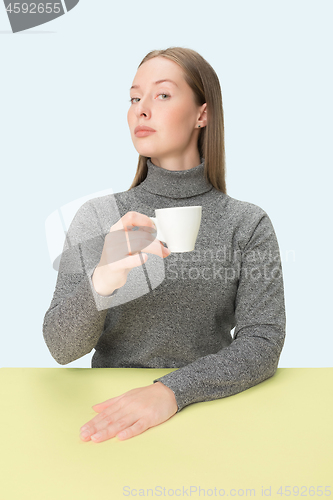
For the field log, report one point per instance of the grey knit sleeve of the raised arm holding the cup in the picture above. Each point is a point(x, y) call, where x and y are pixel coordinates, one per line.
point(75, 319)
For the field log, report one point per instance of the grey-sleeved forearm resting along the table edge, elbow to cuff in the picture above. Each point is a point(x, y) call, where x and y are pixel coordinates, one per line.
point(249, 360)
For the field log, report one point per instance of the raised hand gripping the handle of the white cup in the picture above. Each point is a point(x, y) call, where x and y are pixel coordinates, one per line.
point(121, 251)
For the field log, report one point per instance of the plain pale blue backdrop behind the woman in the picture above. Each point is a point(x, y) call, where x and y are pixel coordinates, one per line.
point(64, 135)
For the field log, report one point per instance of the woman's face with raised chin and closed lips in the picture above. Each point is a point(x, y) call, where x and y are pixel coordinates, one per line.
point(168, 108)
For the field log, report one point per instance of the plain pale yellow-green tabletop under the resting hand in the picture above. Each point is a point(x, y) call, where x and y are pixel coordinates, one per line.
point(274, 440)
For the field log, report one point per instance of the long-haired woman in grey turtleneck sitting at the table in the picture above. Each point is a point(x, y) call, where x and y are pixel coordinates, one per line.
point(232, 279)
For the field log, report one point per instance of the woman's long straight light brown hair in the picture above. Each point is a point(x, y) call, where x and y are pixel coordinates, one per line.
point(204, 82)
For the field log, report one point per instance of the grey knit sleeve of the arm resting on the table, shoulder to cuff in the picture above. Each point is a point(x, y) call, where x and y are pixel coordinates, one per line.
point(253, 355)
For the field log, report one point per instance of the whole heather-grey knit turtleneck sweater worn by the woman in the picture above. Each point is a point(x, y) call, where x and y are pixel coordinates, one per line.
point(176, 312)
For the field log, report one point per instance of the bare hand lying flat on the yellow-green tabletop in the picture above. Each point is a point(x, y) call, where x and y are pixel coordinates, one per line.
point(131, 413)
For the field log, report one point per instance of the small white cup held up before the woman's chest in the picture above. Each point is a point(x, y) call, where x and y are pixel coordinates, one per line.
point(178, 227)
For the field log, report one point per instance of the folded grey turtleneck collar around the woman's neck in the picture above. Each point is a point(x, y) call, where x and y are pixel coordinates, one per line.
point(176, 183)
